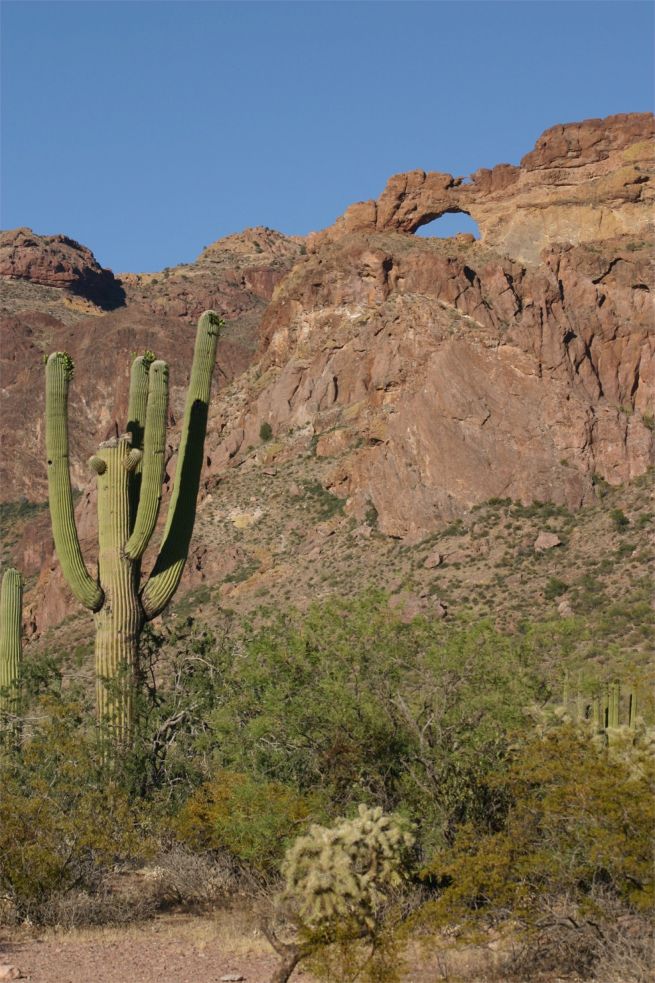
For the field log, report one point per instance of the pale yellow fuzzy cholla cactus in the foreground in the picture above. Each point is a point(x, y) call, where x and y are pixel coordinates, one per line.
point(340, 876)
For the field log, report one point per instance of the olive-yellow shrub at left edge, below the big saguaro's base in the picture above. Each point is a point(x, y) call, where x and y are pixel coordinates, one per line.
point(63, 819)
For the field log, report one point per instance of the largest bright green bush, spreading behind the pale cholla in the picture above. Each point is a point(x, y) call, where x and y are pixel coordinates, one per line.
point(347, 699)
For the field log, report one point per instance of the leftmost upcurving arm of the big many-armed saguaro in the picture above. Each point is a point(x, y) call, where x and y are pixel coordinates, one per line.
point(59, 369)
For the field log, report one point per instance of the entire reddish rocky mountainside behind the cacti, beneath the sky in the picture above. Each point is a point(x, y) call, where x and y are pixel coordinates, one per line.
point(406, 382)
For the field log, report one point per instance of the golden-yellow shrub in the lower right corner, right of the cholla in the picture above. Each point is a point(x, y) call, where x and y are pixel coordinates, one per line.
point(575, 844)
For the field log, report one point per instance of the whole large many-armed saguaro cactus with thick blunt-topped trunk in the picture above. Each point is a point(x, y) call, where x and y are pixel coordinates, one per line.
point(130, 470)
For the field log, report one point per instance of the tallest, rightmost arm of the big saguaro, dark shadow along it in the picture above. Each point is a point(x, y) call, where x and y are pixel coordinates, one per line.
point(169, 565)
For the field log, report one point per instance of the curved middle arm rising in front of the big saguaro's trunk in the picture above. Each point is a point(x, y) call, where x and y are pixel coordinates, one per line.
point(154, 447)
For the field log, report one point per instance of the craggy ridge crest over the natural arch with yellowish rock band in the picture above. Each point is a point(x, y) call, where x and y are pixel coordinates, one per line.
point(583, 181)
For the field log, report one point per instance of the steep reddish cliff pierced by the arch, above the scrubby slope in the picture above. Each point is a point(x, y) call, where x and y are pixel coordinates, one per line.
point(441, 373)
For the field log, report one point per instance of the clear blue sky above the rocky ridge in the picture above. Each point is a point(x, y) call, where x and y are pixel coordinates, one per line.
point(147, 130)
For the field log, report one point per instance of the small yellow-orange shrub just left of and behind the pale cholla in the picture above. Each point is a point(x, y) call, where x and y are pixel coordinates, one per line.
point(254, 820)
